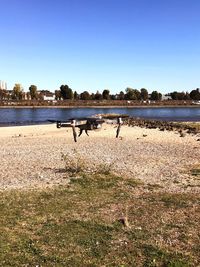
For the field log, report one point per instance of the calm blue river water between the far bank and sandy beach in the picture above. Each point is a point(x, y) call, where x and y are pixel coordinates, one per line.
point(12, 116)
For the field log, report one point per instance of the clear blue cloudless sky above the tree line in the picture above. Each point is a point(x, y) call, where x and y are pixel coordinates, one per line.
point(101, 44)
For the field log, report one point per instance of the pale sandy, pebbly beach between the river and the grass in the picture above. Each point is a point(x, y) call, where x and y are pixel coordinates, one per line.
point(31, 156)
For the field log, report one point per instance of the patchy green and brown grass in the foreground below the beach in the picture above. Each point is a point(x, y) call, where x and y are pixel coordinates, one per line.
point(79, 225)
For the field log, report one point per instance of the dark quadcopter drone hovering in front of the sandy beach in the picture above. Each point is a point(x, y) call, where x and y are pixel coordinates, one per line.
point(89, 123)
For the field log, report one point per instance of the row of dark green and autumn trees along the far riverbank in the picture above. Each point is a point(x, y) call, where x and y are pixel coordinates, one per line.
point(65, 93)
